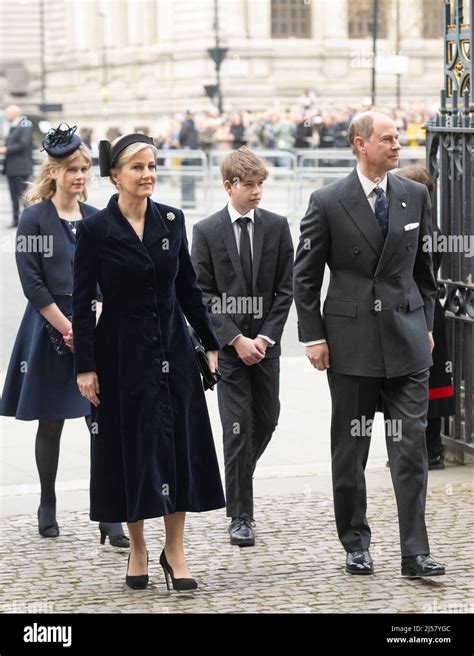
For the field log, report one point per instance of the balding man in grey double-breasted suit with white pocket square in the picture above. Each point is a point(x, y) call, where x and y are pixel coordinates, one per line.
point(374, 337)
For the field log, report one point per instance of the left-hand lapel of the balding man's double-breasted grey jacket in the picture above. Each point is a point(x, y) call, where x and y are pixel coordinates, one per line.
point(355, 203)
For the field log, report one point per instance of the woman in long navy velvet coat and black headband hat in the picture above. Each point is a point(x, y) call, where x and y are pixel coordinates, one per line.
point(153, 453)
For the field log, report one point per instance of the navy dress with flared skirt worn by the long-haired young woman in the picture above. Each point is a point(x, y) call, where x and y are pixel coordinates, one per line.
point(39, 384)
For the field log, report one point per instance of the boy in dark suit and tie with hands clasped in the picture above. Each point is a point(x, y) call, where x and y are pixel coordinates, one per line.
point(243, 257)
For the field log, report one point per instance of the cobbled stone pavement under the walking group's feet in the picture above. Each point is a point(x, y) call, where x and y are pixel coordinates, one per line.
point(296, 566)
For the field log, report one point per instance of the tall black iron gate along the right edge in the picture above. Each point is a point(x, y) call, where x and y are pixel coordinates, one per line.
point(450, 158)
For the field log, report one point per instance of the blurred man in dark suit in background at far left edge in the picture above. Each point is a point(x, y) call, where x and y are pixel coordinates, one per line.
point(18, 151)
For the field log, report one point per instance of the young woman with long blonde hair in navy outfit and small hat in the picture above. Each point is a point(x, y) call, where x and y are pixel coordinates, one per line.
point(40, 384)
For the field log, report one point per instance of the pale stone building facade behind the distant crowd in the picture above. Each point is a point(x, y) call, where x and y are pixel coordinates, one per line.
point(125, 62)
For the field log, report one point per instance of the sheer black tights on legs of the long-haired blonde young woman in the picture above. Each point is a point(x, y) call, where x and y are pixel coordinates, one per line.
point(48, 438)
